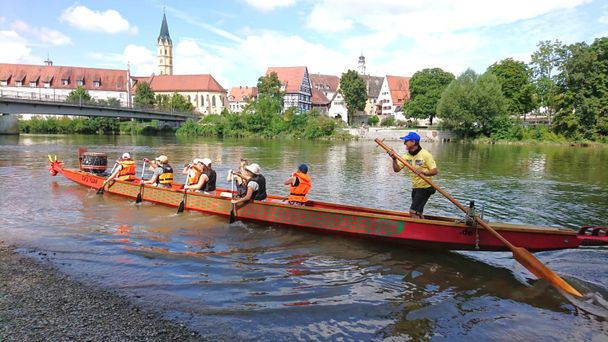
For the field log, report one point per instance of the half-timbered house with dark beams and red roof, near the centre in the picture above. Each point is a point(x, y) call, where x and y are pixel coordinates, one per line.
point(295, 83)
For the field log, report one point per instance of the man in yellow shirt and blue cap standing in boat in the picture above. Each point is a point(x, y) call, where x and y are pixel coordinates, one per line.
point(424, 163)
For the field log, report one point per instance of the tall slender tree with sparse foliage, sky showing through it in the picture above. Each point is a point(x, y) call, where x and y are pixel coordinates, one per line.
point(546, 63)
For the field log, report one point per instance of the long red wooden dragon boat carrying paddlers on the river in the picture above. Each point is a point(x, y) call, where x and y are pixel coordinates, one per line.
point(393, 226)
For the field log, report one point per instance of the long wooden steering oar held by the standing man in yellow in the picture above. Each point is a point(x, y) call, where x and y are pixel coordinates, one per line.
point(523, 256)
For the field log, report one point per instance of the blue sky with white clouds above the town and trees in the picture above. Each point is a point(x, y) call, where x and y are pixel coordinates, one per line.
point(237, 40)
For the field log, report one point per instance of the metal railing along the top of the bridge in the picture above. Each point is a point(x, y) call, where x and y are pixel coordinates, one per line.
point(63, 99)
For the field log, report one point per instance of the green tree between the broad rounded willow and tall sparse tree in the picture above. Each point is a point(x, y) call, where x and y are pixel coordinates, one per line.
point(515, 80)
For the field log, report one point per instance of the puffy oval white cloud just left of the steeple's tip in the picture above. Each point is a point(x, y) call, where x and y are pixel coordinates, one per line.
point(109, 21)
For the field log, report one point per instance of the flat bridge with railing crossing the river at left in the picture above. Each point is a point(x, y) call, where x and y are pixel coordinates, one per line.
point(31, 103)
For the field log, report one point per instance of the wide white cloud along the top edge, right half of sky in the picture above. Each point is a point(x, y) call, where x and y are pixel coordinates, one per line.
point(412, 18)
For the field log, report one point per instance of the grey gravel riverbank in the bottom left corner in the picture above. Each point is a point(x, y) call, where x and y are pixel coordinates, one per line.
point(38, 303)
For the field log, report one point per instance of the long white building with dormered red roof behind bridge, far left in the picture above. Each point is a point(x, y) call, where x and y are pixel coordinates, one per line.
point(54, 83)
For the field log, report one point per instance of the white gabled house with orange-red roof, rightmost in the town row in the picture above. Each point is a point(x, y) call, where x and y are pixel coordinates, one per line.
point(394, 92)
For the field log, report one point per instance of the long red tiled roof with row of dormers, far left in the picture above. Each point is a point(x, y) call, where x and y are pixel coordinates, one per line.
point(111, 79)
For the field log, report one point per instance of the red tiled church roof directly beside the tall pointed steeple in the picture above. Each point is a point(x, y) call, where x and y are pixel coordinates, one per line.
point(185, 83)
